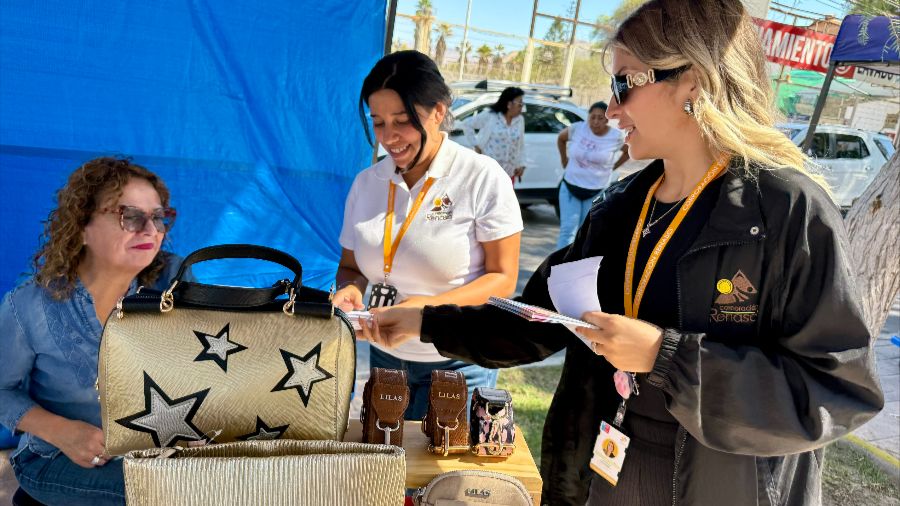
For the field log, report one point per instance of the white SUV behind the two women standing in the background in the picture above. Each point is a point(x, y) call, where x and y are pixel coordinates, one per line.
point(545, 117)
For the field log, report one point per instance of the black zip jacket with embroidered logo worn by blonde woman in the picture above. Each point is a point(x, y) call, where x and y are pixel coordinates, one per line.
point(759, 383)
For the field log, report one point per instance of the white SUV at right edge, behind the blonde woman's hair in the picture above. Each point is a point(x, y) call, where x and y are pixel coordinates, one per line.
point(850, 158)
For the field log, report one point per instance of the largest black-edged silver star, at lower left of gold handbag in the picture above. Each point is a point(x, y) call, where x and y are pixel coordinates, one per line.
point(165, 419)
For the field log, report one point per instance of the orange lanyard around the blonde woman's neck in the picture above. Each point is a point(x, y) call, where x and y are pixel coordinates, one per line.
point(632, 305)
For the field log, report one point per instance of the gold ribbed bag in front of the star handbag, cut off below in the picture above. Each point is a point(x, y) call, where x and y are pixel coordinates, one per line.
point(276, 473)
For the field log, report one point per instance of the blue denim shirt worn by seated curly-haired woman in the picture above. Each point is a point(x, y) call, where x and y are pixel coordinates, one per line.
point(50, 349)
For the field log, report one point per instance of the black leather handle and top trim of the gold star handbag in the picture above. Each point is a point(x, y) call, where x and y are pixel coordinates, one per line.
point(235, 297)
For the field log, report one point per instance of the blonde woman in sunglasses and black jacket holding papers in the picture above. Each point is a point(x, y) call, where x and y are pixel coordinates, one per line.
point(731, 346)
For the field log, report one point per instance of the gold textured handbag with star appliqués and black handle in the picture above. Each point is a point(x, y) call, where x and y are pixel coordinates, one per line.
point(245, 364)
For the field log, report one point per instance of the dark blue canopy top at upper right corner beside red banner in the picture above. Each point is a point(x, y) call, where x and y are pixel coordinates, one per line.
point(866, 39)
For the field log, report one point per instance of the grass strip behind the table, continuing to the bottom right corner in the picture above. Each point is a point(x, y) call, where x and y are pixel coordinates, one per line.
point(849, 476)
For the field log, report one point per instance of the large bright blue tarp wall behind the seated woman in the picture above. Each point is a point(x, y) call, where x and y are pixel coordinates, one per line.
point(247, 109)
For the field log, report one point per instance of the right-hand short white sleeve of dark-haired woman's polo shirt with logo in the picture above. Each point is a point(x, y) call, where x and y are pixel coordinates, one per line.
point(497, 212)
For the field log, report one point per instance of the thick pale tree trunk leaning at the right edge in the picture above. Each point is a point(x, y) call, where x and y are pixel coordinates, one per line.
point(873, 225)
